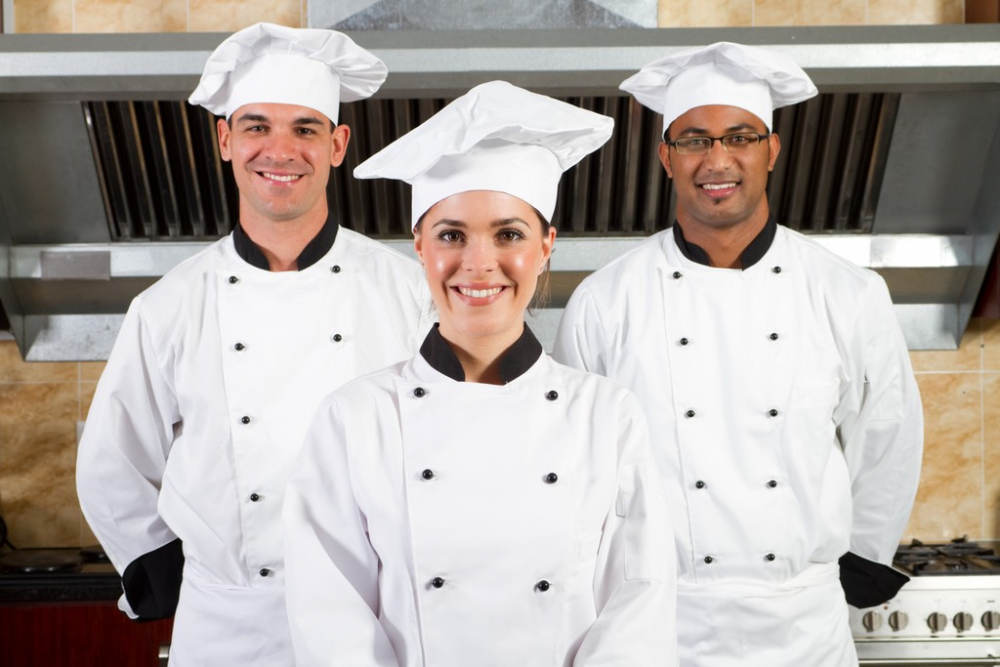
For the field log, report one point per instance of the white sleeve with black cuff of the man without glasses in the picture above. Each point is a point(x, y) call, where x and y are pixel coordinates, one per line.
point(120, 464)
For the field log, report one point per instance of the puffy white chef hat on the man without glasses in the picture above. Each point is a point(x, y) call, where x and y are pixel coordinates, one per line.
point(268, 63)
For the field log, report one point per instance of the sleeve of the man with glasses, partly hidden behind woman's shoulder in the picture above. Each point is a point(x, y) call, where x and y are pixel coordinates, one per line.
point(580, 340)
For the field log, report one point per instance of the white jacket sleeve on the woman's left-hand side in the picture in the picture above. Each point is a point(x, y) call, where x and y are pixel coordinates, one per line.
point(332, 569)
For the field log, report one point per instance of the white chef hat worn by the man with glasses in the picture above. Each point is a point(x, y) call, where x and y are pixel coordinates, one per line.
point(747, 77)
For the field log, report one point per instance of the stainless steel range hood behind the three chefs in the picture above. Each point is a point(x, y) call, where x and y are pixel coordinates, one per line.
point(108, 180)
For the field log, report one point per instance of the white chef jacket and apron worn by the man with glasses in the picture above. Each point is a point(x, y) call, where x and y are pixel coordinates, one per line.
point(785, 421)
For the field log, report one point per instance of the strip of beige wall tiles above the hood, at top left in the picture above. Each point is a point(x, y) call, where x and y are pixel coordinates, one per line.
point(38, 16)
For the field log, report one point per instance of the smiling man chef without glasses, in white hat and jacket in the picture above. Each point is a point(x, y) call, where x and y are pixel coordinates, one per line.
point(219, 366)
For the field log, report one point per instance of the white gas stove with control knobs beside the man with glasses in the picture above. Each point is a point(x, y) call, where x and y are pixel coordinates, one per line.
point(947, 614)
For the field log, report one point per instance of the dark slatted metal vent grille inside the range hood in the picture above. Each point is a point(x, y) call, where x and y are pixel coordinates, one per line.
point(163, 179)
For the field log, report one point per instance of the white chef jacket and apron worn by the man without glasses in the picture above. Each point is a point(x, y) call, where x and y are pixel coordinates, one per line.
point(203, 406)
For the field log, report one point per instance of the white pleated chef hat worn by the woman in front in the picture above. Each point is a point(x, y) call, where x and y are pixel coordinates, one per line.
point(495, 137)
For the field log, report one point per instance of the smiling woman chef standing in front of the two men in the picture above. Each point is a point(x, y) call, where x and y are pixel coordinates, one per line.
point(481, 504)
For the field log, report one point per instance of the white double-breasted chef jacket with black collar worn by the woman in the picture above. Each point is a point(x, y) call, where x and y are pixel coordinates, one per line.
point(440, 523)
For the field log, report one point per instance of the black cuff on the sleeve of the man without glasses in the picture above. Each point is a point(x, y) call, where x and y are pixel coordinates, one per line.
point(152, 582)
